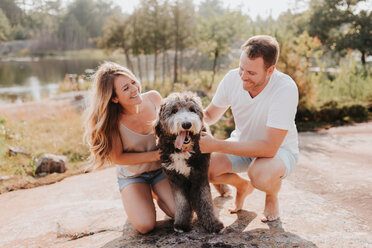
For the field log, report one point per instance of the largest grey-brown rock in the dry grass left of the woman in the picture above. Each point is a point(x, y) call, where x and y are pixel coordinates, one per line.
point(50, 163)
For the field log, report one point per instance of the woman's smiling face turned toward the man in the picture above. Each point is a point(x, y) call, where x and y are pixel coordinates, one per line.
point(128, 91)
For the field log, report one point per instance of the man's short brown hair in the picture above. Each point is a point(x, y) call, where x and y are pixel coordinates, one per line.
point(264, 46)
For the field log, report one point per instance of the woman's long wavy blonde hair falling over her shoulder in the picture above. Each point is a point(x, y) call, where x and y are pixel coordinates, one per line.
point(102, 114)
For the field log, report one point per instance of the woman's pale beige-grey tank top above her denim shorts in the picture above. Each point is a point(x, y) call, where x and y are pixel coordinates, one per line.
point(135, 142)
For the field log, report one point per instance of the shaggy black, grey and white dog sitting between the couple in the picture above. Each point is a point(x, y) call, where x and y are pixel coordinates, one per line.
point(178, 130)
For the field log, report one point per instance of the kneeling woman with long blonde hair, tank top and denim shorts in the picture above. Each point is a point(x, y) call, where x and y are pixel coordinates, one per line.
point(119, 131)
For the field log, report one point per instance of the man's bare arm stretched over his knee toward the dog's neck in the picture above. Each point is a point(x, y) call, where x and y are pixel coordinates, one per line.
point(265, 148)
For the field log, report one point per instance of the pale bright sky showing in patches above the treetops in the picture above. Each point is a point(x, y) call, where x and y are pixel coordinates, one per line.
point(253, 8)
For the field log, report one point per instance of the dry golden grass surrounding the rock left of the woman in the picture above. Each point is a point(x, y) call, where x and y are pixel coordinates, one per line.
point(59, 133)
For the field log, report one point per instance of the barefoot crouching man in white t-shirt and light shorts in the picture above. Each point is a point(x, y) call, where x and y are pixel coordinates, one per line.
point(264, 143)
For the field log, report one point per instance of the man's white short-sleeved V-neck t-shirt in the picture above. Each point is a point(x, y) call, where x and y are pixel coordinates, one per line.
point(275, 106)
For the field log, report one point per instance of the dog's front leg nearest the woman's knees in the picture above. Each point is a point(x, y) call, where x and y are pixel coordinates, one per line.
point(183, 211)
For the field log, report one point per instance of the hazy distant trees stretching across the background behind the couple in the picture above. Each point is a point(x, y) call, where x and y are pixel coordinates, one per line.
point(161, 28)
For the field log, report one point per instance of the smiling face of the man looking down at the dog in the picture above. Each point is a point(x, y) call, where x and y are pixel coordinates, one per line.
point(254, 74)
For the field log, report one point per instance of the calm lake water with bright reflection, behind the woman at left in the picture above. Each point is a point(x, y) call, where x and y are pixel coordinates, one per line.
point(27, 80)
